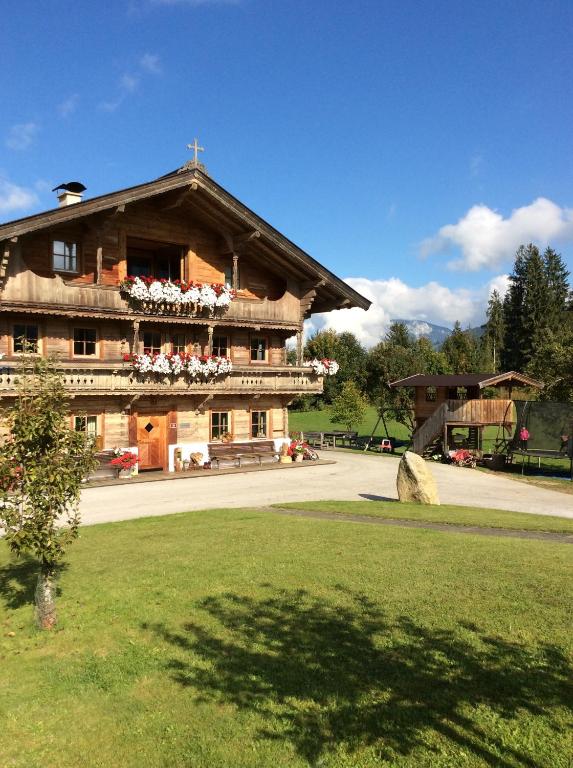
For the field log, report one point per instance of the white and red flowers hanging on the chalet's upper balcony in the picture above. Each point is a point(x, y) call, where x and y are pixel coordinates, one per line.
point(175, 296)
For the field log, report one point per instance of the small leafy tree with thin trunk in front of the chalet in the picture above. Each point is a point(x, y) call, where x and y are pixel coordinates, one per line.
point(42, 465)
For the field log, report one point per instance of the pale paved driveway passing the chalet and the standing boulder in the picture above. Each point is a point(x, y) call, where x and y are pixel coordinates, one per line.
point(354, 476)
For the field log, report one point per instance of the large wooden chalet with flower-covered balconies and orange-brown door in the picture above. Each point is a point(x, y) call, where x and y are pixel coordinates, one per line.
point(65, 291)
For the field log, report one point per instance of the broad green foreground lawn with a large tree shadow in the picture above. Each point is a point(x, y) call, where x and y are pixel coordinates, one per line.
point(239, 638)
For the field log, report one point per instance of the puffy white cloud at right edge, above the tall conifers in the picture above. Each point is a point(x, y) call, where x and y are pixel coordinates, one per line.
point(486, 239)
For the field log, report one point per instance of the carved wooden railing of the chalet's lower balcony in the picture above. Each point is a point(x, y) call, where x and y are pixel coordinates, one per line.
point(108, 379)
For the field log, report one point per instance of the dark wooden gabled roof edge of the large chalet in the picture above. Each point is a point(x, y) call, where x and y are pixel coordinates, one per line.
point(334, 291)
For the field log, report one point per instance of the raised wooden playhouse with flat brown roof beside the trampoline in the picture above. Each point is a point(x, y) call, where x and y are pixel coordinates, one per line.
point(445, 403)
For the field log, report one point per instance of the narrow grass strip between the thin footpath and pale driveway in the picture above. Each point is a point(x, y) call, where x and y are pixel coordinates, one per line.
point(483, 518)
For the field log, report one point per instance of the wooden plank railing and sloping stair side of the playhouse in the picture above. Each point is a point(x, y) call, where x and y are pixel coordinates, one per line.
point(462, 412)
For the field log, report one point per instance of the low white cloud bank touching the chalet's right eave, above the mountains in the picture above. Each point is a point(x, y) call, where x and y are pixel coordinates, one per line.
point(392, 299)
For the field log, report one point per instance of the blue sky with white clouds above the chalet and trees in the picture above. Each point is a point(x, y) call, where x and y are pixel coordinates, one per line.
point(409, 146)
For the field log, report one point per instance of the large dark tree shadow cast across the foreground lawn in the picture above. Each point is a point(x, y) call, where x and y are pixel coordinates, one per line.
point(329, 674)
